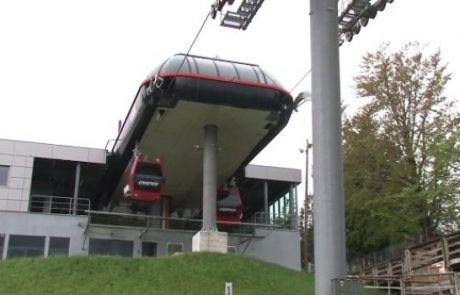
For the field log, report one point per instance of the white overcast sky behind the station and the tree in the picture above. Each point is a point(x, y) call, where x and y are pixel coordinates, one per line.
point(69, 70)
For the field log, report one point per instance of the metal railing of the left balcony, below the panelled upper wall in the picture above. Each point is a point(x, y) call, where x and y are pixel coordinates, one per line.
point(59, 205)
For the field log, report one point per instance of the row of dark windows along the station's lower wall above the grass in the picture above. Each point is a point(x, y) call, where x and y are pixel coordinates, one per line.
point(32, 246)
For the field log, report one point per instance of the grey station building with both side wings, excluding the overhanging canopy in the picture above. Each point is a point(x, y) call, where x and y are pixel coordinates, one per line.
point(47, 192)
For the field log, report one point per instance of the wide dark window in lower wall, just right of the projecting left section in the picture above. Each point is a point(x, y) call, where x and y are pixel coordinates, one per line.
point(111, 247)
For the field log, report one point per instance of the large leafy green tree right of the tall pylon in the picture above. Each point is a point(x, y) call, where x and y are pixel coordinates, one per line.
point(401, 151)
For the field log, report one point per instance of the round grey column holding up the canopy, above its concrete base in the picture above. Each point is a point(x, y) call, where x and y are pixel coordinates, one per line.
point(209, 178)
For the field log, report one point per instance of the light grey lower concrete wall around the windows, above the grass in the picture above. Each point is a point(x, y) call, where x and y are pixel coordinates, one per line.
point(279, 246)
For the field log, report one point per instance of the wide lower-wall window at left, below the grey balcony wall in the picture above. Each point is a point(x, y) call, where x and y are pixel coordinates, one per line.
point(26, 246)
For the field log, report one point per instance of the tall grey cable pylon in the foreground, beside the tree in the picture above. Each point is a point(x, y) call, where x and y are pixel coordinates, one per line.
point(329, 212)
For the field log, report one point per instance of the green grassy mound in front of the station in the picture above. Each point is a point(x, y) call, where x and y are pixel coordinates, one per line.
point(189, 273)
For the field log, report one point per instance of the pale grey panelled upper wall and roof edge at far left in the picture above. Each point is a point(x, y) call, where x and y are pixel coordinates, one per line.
point(19, 156)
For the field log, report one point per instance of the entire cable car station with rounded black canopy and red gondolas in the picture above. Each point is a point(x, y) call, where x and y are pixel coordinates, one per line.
point(177, 178)
